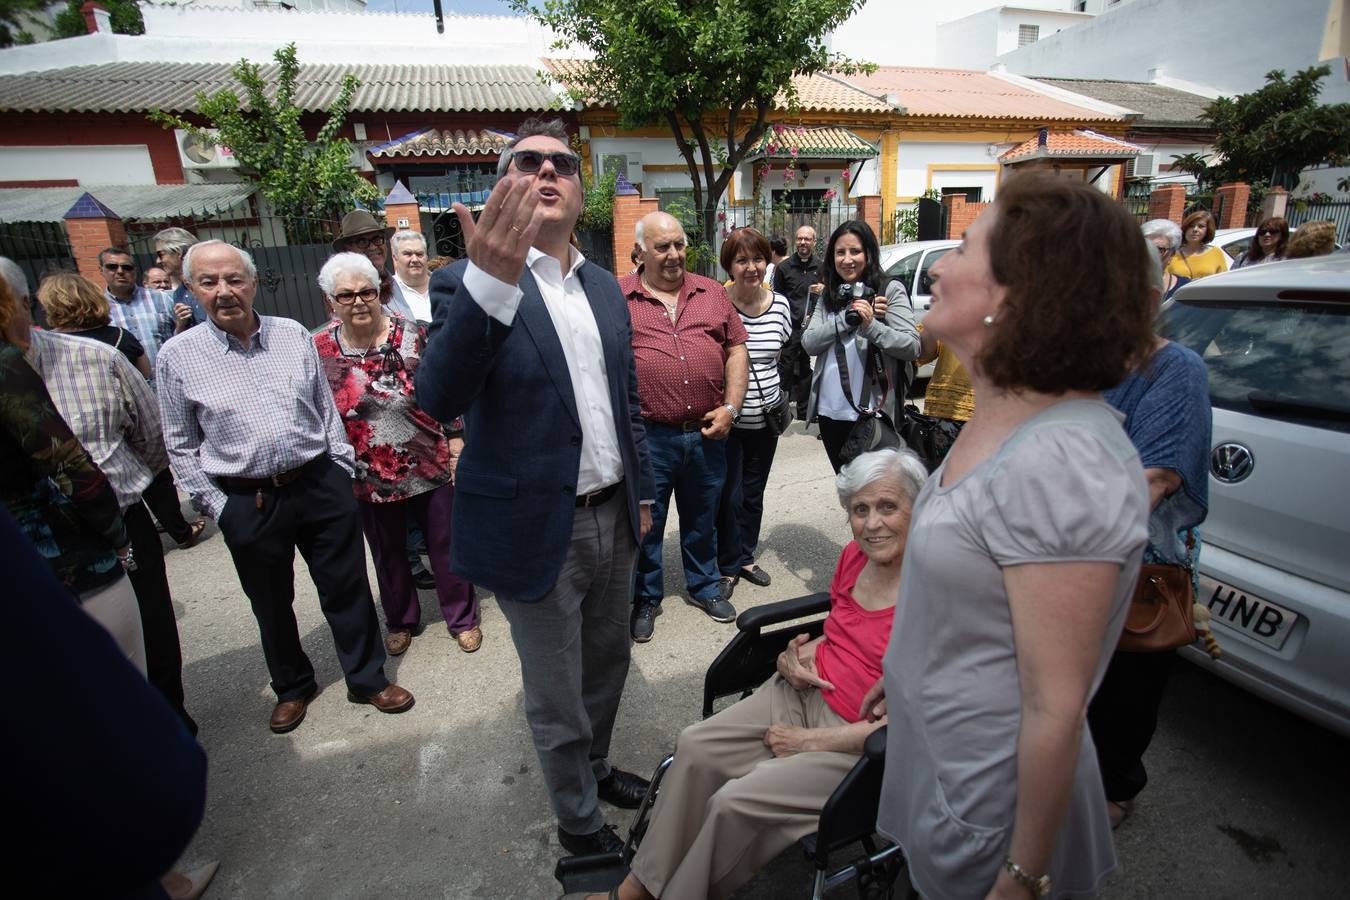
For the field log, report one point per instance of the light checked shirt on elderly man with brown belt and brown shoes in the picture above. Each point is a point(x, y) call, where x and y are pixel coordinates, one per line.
point(245, 414)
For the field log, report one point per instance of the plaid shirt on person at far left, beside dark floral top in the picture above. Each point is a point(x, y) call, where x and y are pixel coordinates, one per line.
point(109, 407)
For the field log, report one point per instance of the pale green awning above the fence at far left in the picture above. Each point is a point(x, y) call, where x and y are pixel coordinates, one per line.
point(128, 202)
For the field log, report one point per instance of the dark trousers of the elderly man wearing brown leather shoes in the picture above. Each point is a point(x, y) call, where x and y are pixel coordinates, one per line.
point(318, 515)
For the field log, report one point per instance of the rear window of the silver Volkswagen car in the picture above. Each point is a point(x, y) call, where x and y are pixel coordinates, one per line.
point(1280, 360)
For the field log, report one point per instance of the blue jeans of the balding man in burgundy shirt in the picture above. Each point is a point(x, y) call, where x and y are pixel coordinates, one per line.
point(693, 468)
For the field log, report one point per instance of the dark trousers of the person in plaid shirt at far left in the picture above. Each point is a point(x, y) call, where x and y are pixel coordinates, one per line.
point(151, 582)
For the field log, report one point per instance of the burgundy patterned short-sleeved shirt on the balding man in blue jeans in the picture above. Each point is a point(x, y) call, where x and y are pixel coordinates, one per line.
point(682, 366)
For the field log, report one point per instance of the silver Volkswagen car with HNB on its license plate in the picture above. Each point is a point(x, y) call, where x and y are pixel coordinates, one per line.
point(1275, 565)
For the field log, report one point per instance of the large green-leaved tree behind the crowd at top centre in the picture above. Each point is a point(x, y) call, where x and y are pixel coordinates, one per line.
point(712, 71)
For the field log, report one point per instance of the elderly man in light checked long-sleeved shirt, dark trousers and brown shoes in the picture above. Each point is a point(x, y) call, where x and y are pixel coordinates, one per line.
point(254, 437)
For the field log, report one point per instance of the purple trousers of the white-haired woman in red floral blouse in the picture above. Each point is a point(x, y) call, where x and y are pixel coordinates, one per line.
point(387, 531)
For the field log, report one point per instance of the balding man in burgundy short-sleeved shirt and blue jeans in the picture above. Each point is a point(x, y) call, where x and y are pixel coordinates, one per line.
point(692, 368)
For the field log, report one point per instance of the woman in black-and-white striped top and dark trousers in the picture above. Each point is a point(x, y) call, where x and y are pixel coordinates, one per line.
point(750, 450)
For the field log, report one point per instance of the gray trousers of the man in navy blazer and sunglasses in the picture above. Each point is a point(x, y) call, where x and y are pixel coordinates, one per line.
point(574, 648)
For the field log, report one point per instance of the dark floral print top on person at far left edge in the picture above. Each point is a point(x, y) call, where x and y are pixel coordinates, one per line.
point(51, 485)
